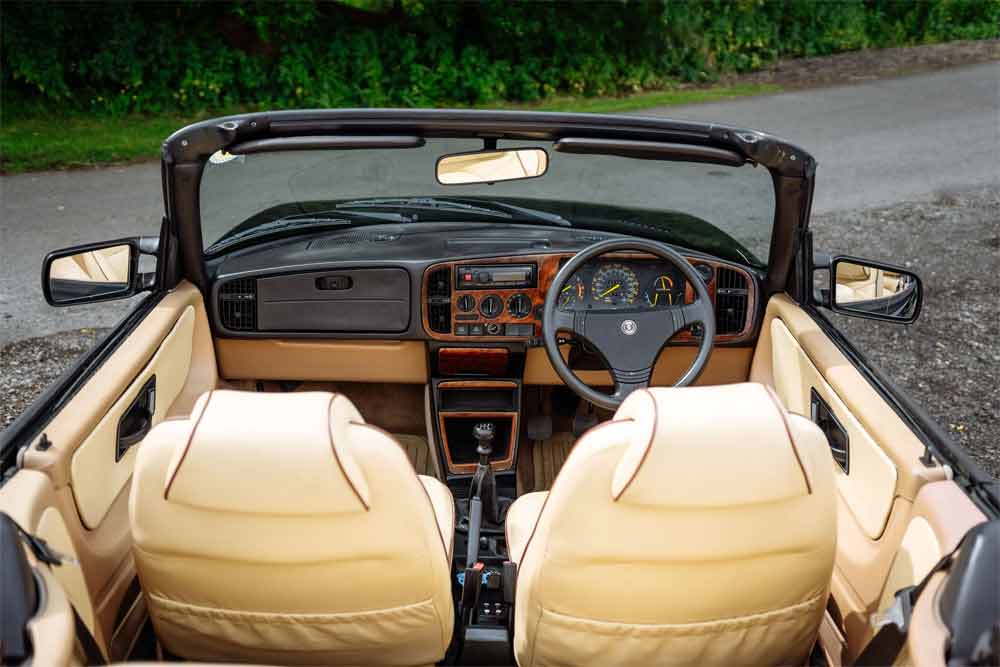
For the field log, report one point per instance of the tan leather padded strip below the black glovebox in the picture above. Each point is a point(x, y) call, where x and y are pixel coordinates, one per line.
point(329, 360)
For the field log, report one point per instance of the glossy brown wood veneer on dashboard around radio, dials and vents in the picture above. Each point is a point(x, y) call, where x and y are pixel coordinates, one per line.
point(548, 266)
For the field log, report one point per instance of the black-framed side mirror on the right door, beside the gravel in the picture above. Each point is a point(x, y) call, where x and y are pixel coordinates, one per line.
point(863, 288)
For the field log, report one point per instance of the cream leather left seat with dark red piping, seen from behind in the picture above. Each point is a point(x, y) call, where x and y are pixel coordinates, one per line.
point(280, 528)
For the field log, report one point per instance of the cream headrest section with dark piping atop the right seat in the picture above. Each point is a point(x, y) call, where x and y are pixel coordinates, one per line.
point(719, 446)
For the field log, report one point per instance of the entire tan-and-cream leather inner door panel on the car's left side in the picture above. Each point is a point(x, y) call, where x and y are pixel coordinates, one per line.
point(83, 509)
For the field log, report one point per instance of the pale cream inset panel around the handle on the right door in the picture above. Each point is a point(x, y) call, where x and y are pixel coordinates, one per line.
point(870, 487)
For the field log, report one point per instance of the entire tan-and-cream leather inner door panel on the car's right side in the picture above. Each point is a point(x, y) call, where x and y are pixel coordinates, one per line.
point(880, 544)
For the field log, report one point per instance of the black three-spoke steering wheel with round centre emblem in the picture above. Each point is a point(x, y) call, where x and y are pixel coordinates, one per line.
point(629, 340)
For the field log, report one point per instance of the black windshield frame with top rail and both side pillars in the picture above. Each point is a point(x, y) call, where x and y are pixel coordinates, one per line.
point(186, 152)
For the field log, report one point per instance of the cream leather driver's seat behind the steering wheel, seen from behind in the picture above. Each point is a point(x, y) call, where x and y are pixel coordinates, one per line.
point(697, 527)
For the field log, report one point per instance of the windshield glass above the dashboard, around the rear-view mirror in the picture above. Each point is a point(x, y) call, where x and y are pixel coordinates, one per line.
point(675, 201)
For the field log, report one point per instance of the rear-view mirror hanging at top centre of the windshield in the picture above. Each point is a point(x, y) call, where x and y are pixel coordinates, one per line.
point(492, 166)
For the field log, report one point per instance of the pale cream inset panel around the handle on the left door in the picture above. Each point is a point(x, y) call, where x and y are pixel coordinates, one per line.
point(95, 477)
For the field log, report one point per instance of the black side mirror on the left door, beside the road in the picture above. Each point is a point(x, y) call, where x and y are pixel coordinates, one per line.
point(97, 271)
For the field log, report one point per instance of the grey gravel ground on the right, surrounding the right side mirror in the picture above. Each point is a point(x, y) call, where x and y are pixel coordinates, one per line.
point(949, 360)
